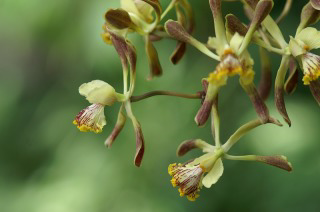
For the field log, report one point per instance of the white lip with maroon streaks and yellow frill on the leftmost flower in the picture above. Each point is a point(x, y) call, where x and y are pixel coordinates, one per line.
point(91, 119)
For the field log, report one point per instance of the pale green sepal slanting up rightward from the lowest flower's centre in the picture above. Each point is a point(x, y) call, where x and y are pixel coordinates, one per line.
point(234, 138)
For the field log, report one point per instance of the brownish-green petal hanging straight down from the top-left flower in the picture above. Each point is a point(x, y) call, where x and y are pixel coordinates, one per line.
point(154, 63)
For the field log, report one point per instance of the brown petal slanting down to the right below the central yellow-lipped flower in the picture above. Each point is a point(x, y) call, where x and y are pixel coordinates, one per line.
point(257, 102)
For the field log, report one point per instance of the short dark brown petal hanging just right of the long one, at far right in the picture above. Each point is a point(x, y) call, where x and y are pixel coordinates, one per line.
point(293, 78)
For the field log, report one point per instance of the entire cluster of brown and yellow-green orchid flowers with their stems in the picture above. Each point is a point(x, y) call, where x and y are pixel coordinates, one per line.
point(229, 49)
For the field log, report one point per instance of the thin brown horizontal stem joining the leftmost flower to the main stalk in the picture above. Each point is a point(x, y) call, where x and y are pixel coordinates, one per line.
point(164, 93)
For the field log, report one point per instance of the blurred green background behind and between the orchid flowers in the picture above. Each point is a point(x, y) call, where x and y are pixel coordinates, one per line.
point(49, 48)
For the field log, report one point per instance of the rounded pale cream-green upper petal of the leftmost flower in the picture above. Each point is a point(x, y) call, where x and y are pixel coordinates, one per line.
point(98, 92)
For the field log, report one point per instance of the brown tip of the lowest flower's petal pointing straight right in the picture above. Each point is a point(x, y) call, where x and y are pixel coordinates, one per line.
point(277, 161)
